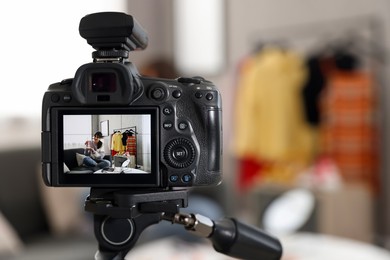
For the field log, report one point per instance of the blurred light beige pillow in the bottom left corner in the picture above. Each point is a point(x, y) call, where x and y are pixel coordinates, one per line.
point(9, 240)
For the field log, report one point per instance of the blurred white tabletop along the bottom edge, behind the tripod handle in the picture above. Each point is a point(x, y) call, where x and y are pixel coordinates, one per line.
point(302, 246)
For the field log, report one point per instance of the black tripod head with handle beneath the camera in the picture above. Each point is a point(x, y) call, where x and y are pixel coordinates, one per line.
point(120, 216)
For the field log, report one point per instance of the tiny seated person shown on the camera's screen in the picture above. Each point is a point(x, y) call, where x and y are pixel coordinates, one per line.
point(94, 152)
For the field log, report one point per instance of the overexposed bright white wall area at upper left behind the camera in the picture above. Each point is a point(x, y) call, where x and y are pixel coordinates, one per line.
point(49, 48)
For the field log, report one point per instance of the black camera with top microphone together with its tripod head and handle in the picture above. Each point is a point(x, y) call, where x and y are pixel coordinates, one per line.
point(138, 142)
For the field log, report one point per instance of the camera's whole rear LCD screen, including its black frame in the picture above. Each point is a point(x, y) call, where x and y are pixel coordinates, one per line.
point(106, 147)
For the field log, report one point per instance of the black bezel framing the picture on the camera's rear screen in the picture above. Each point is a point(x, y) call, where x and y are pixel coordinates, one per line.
point(151, 179)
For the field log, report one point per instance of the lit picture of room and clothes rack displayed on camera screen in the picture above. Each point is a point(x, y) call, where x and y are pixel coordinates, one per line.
point(107, 143)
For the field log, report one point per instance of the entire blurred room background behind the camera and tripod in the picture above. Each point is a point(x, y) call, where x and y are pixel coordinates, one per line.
point(305, 88)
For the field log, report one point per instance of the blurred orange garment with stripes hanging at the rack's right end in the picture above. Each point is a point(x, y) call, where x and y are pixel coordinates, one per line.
point(348, 129)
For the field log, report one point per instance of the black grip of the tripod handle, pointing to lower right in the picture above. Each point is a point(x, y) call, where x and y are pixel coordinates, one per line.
point(236, 239)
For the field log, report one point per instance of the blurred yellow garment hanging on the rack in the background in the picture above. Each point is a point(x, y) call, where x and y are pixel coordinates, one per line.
point(269, 120)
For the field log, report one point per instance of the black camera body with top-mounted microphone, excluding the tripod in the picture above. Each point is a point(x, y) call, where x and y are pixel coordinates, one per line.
point(155, 133)
